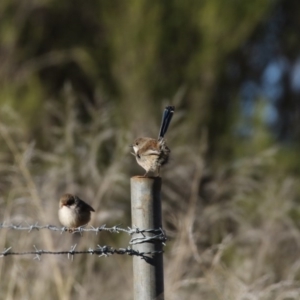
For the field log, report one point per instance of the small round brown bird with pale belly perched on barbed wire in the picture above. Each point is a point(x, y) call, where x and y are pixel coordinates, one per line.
point(73, 212)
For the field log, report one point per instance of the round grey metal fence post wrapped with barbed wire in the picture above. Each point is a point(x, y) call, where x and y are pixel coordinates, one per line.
point(146, 213)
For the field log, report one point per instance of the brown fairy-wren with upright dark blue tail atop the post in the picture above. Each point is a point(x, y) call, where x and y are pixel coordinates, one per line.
point(150, 153)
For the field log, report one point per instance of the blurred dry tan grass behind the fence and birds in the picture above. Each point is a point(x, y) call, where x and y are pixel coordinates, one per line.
point(234, 232)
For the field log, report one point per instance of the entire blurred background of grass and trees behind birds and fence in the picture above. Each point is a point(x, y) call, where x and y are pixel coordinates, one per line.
point(79, 80)
